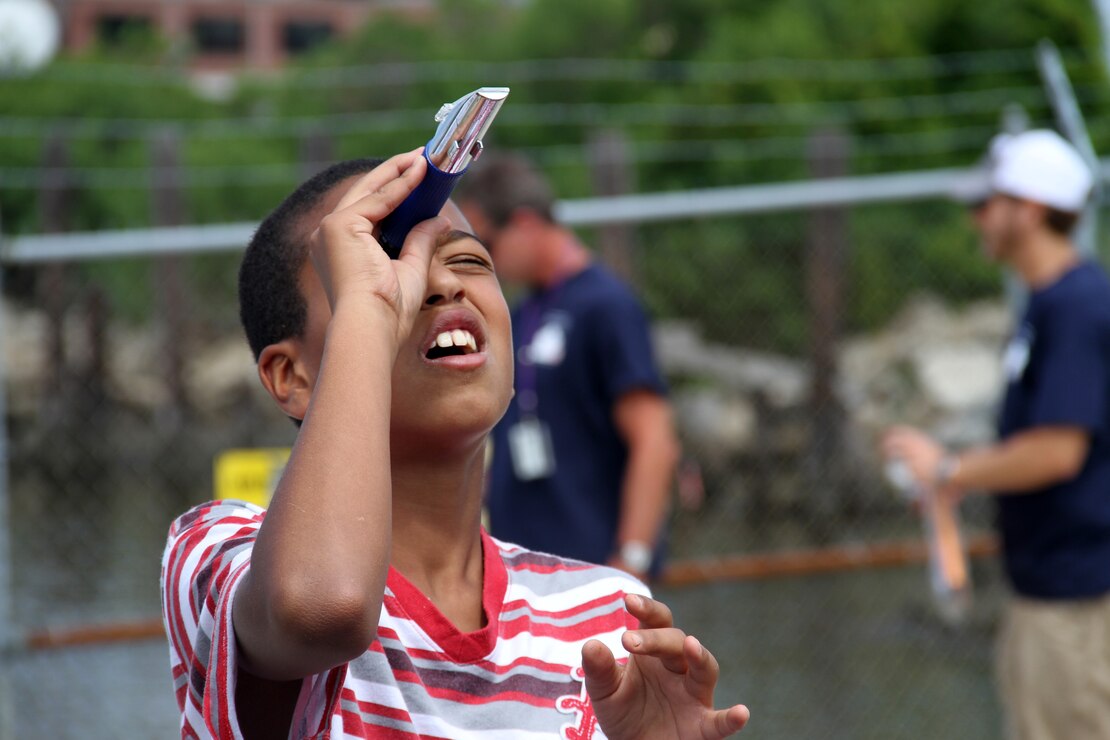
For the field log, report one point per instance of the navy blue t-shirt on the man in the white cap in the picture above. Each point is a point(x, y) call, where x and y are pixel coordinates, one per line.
point(1056, 542)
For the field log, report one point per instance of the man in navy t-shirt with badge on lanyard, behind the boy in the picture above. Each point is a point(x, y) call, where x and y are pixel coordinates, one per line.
point(584, 459)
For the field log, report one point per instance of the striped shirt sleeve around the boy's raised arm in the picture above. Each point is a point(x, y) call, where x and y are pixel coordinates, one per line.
point(207, 555)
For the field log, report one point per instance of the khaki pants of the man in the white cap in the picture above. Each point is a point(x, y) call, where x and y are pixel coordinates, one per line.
point(1054, 670)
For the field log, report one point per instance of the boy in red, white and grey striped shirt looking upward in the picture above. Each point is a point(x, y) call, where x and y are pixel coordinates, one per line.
point(367, 601)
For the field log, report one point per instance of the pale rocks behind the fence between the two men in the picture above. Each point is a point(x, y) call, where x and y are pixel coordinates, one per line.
point(933, 367)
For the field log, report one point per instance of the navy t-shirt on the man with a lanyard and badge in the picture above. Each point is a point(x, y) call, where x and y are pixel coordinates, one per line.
point(580, 347)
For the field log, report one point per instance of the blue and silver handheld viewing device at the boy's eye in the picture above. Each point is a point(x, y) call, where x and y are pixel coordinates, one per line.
point(457, 144)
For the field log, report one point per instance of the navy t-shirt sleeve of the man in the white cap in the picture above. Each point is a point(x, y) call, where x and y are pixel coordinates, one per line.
point(1072, 373)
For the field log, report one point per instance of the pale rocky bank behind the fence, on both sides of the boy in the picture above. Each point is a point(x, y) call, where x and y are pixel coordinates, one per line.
point(932, 367)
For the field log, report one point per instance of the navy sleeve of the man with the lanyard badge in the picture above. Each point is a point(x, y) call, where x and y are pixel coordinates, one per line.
point(625, 348)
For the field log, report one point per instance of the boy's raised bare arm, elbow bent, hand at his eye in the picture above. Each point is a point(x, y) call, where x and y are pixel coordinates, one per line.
point(312, 597)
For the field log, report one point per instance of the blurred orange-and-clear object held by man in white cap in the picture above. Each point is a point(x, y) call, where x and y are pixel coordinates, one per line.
point(948, 564)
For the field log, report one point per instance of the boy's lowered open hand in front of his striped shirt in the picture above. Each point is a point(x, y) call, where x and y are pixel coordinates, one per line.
point(667, 688)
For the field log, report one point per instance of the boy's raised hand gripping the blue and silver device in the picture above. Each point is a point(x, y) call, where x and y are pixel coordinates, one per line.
point(348, 257)
